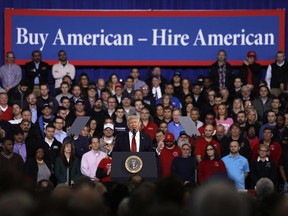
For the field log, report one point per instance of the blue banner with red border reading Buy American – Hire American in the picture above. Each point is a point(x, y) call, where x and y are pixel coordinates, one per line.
point(145, 37)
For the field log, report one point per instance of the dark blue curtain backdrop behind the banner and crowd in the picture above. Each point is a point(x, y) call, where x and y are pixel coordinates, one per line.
point(94, 72)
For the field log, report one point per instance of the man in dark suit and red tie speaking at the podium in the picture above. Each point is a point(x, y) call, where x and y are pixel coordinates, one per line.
point(124, 142)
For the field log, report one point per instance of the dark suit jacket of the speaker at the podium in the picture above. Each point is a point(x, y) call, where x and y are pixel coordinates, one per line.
point(122, 143)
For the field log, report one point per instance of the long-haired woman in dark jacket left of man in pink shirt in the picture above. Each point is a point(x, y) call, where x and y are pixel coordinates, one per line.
point(67, 165)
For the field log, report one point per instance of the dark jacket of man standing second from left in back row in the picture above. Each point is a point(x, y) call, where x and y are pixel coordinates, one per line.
point(31, 73)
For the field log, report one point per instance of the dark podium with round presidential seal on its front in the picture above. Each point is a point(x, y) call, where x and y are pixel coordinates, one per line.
point(126, 164)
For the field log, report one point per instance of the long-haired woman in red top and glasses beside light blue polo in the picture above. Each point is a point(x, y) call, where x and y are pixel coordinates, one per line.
point(211, 165)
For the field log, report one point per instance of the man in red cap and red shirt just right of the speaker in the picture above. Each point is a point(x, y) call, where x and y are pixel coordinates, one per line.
point(169, 151)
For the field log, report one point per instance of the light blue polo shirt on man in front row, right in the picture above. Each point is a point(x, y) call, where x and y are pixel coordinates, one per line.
point(236, 169)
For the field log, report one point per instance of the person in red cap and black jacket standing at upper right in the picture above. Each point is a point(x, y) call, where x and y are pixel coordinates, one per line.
point(250, 71)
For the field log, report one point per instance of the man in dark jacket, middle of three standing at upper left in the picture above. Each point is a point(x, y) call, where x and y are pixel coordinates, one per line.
point(36, 71)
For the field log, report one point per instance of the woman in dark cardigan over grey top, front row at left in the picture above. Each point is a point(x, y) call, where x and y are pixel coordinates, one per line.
point(37, 168)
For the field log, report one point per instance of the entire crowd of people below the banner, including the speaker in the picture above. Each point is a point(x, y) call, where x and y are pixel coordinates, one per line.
point(242, 123)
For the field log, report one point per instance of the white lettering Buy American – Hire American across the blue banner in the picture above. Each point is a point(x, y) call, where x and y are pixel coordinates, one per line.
point(159, 37)
